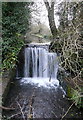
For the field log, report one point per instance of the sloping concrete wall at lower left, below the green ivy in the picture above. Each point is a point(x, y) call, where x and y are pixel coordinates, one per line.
point(5, 81)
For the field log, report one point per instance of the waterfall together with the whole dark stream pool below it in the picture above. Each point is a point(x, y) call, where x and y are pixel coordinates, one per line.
point(36, 91)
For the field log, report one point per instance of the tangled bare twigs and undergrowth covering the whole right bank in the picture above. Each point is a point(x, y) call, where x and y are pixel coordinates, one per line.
point(69, 44)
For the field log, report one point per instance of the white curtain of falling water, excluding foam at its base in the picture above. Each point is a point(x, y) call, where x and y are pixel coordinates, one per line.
point(40, 63)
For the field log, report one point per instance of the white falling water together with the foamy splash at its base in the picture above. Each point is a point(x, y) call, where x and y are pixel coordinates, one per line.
point(40, 66)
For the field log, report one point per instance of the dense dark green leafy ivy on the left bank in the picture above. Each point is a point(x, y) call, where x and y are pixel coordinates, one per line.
point(15, 22)
